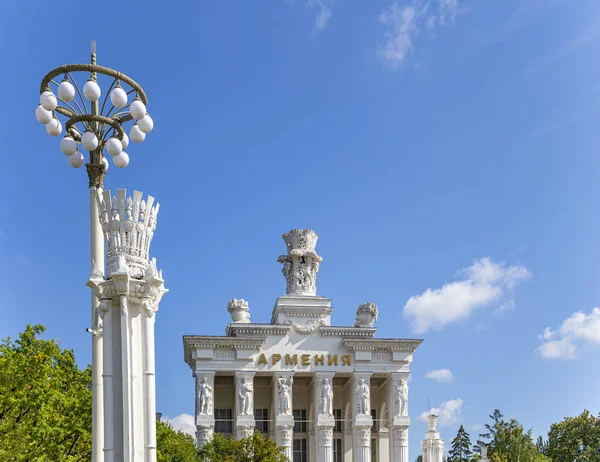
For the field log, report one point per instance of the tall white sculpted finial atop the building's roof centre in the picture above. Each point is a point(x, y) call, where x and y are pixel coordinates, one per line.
point(301, 264)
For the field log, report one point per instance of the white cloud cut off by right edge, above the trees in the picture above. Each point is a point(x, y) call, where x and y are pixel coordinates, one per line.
point(578, 330)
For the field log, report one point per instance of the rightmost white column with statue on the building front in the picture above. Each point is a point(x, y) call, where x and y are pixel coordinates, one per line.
point(400, 420)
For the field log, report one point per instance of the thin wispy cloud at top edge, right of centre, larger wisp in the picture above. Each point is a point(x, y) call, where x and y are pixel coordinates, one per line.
point(404, 22)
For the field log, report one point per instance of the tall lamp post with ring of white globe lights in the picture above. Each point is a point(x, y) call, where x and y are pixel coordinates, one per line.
point(97, 125)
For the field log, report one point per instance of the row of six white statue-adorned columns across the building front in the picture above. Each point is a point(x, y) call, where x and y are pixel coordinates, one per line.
point(358, 423)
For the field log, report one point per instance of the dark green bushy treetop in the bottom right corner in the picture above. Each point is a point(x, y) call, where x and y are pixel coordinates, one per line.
point(576, 439)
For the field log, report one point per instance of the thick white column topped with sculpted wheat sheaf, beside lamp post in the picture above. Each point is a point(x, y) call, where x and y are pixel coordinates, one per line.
point(129, 297)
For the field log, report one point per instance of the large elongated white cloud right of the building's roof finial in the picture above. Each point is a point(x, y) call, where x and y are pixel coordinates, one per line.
point(485, 281)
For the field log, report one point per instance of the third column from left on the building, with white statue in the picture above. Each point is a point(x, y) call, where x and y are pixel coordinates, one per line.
point(282, 406)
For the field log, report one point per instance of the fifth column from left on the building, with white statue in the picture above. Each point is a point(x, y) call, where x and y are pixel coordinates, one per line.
point(363, 421)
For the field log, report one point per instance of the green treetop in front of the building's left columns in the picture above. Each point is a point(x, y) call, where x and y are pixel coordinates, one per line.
point(254, 448)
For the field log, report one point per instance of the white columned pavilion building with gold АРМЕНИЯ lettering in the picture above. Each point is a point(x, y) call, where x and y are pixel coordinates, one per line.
point(324, 392)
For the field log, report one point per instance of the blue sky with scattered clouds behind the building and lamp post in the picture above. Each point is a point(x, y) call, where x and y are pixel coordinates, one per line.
point(445, 151)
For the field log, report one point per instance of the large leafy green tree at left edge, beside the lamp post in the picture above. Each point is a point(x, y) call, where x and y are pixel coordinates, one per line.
point(45, 401)
